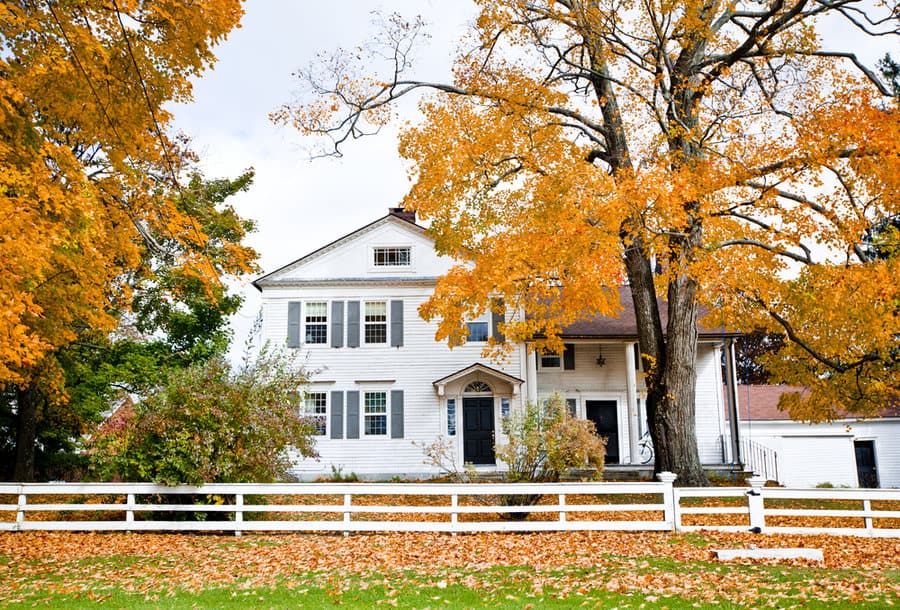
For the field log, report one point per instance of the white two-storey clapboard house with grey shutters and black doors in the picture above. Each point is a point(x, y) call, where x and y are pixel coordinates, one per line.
point(382, 387)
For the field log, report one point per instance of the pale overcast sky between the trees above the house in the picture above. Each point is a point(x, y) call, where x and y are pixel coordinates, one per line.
point(298, 204)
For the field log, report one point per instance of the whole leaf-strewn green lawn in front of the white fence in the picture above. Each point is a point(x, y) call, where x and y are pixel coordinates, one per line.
point(431, 571)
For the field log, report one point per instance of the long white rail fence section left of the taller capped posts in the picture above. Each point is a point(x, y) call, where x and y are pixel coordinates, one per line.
point(337, 507)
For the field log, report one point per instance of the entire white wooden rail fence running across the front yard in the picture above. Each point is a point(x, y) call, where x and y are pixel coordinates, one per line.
point(445, 507)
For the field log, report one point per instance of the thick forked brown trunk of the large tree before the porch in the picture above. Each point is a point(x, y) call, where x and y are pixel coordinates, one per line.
point(669, 363)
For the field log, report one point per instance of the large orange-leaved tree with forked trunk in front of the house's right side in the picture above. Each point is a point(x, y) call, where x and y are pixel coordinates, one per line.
point(583, 143)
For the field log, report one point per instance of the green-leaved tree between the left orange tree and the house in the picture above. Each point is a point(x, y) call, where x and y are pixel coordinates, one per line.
point(173, 321)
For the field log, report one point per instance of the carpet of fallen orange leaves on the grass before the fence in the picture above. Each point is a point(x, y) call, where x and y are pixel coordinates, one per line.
point(651, 565)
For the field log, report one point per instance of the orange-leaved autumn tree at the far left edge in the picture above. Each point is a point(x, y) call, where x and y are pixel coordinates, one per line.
point(88, 172)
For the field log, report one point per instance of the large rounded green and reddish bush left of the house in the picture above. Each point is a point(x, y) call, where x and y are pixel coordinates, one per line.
point(208, 424)
